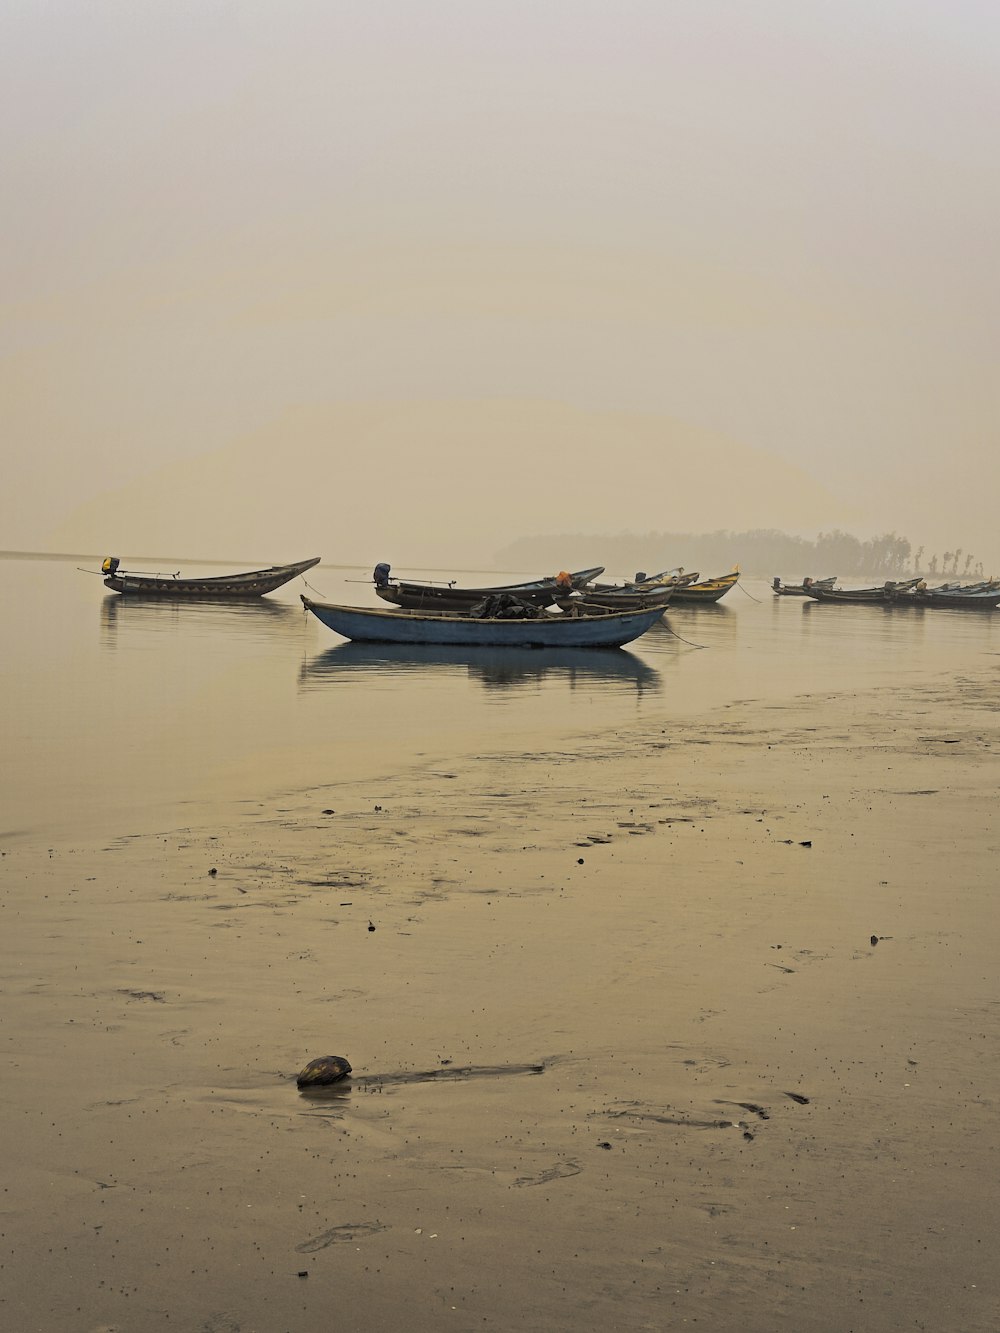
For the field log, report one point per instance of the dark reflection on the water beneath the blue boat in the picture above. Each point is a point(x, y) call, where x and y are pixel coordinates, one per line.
point(493, 668)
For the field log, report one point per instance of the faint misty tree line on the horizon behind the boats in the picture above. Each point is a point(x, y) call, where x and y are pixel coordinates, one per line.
point(762, 551)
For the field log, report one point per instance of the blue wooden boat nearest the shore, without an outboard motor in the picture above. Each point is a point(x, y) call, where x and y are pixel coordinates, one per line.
point(545, 630)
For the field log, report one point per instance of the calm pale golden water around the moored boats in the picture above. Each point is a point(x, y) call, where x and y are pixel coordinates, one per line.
point(121, 716)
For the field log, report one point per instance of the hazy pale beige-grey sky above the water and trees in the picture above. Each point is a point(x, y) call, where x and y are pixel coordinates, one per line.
point(406, 279)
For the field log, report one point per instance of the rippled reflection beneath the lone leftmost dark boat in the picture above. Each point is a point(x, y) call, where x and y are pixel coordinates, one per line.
point(167, 618)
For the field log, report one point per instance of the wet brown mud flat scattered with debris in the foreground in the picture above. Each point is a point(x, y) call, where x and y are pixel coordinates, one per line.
point(694, 1026)
